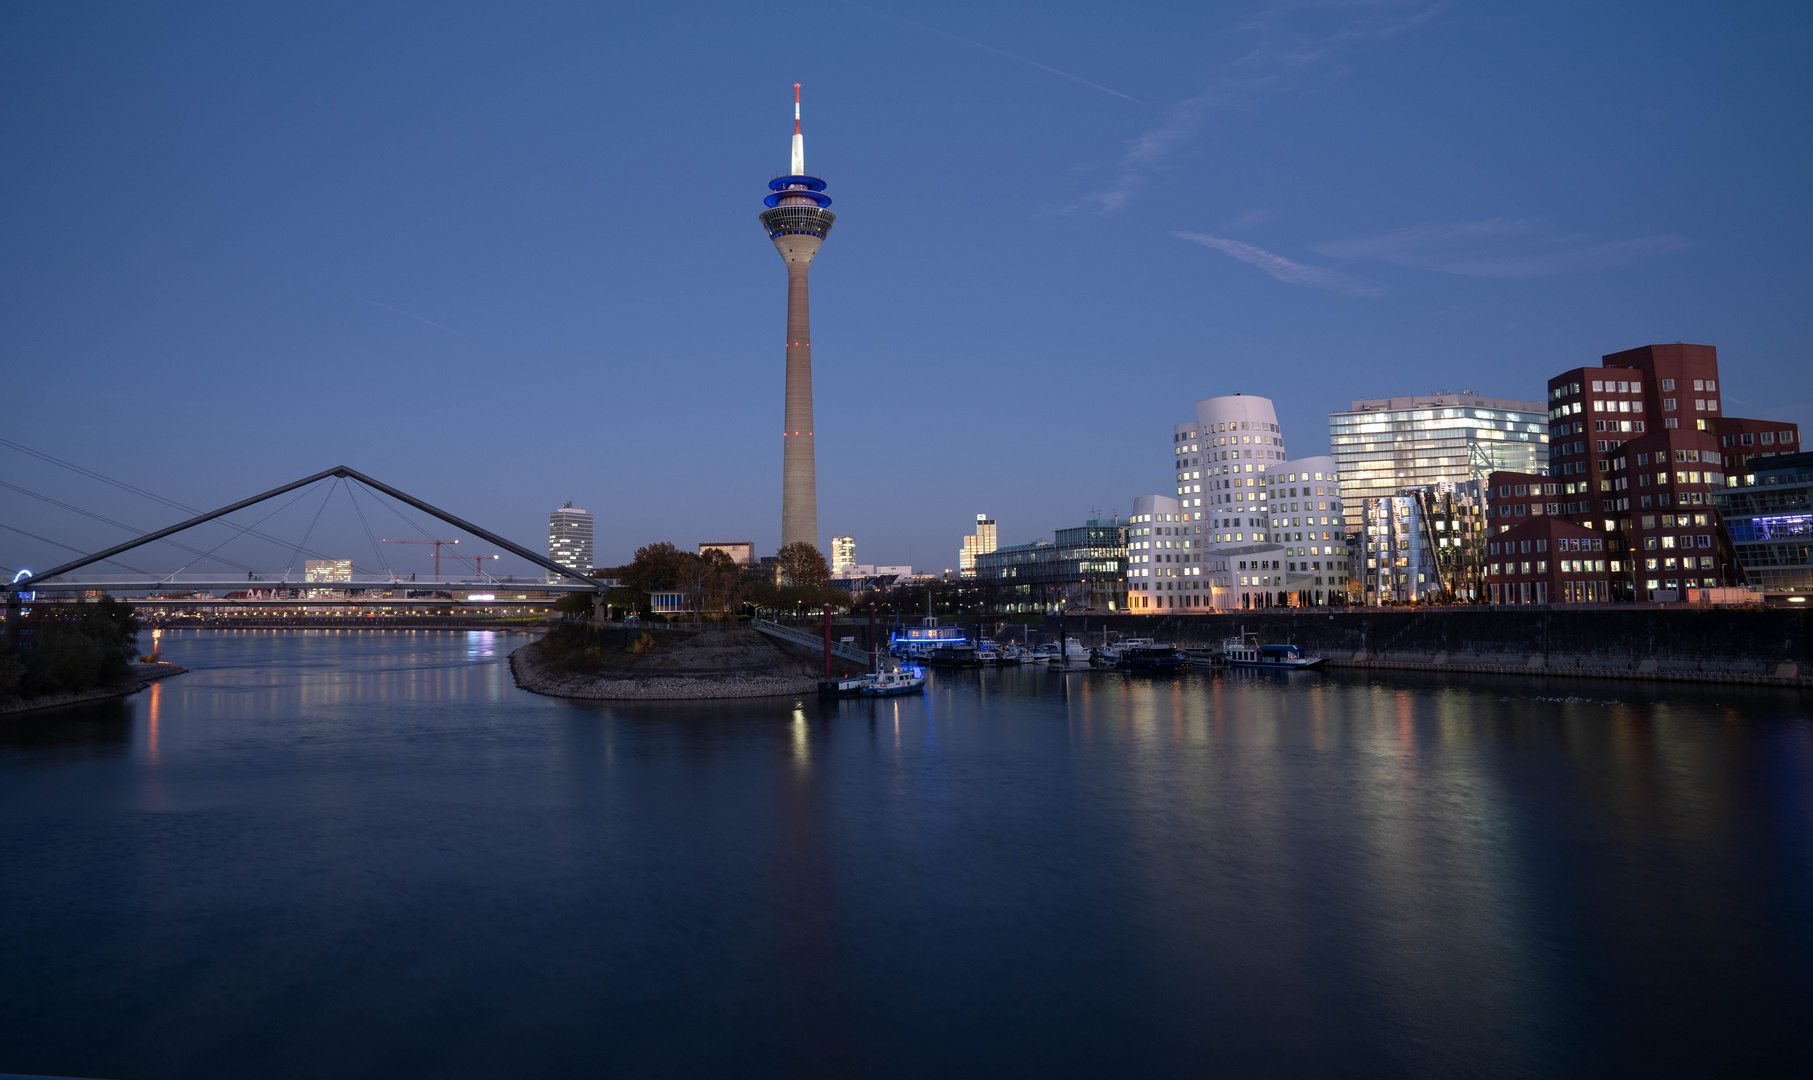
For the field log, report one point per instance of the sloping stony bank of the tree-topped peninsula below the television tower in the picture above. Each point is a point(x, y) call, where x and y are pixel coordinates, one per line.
point(674, 666)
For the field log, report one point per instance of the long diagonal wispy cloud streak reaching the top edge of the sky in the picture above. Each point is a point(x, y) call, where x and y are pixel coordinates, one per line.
point(1274, 64)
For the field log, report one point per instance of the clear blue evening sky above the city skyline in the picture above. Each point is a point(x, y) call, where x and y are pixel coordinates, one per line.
point(505, 256)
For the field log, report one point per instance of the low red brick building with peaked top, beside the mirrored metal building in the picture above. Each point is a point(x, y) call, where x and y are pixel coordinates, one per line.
point(1551, 561)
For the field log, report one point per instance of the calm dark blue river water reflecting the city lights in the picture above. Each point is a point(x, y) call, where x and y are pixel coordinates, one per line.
point(369, 854)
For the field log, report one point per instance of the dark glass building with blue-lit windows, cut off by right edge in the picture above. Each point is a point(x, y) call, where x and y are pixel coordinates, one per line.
point(1770, 514)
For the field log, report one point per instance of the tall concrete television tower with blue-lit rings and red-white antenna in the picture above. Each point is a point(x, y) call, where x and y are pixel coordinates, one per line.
point(797, 222)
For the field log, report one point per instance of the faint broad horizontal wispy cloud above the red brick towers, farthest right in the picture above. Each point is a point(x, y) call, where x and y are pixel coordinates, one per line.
point(1500, 247)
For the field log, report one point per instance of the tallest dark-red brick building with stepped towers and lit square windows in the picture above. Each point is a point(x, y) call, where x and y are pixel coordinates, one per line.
point(1636, 452)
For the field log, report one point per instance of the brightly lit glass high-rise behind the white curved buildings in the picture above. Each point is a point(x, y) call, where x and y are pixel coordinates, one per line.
point(1393, 443)
